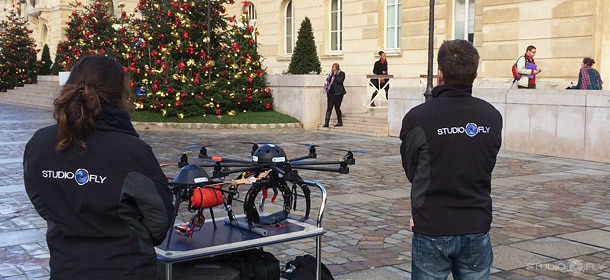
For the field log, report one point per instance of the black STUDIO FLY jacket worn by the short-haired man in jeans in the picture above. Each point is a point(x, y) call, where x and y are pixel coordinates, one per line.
point(449, 149)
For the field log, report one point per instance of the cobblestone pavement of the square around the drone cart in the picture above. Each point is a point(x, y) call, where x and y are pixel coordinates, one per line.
point(551, 215)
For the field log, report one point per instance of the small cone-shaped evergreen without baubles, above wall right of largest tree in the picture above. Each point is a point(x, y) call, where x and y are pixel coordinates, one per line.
point(305, 57)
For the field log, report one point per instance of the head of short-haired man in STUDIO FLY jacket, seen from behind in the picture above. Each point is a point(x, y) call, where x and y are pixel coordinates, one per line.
point(459, 61)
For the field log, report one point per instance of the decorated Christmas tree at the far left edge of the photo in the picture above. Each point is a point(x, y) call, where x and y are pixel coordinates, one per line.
point(18, 64)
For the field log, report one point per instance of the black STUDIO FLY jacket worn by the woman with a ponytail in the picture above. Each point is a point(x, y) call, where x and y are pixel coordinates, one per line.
point(105, 207)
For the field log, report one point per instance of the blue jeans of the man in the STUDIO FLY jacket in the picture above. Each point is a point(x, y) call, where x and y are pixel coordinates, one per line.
point(467, 257)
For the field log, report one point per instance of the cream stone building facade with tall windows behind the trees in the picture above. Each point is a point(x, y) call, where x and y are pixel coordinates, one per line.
point(351, 32)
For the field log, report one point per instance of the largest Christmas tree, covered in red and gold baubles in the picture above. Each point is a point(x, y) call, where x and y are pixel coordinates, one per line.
point(187, 64)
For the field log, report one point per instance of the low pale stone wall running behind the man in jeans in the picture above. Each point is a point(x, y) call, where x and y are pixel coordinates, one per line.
point(563, 123)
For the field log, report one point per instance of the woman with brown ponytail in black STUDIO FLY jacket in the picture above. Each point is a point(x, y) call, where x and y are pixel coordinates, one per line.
point(99, 187)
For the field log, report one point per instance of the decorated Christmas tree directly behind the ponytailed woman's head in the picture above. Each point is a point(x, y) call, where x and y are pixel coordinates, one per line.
point(93, 30)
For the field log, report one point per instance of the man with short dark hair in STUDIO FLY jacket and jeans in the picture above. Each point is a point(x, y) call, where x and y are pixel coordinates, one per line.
point(449, 149)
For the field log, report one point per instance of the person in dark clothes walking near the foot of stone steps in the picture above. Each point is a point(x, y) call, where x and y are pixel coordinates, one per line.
point(334, 89)
